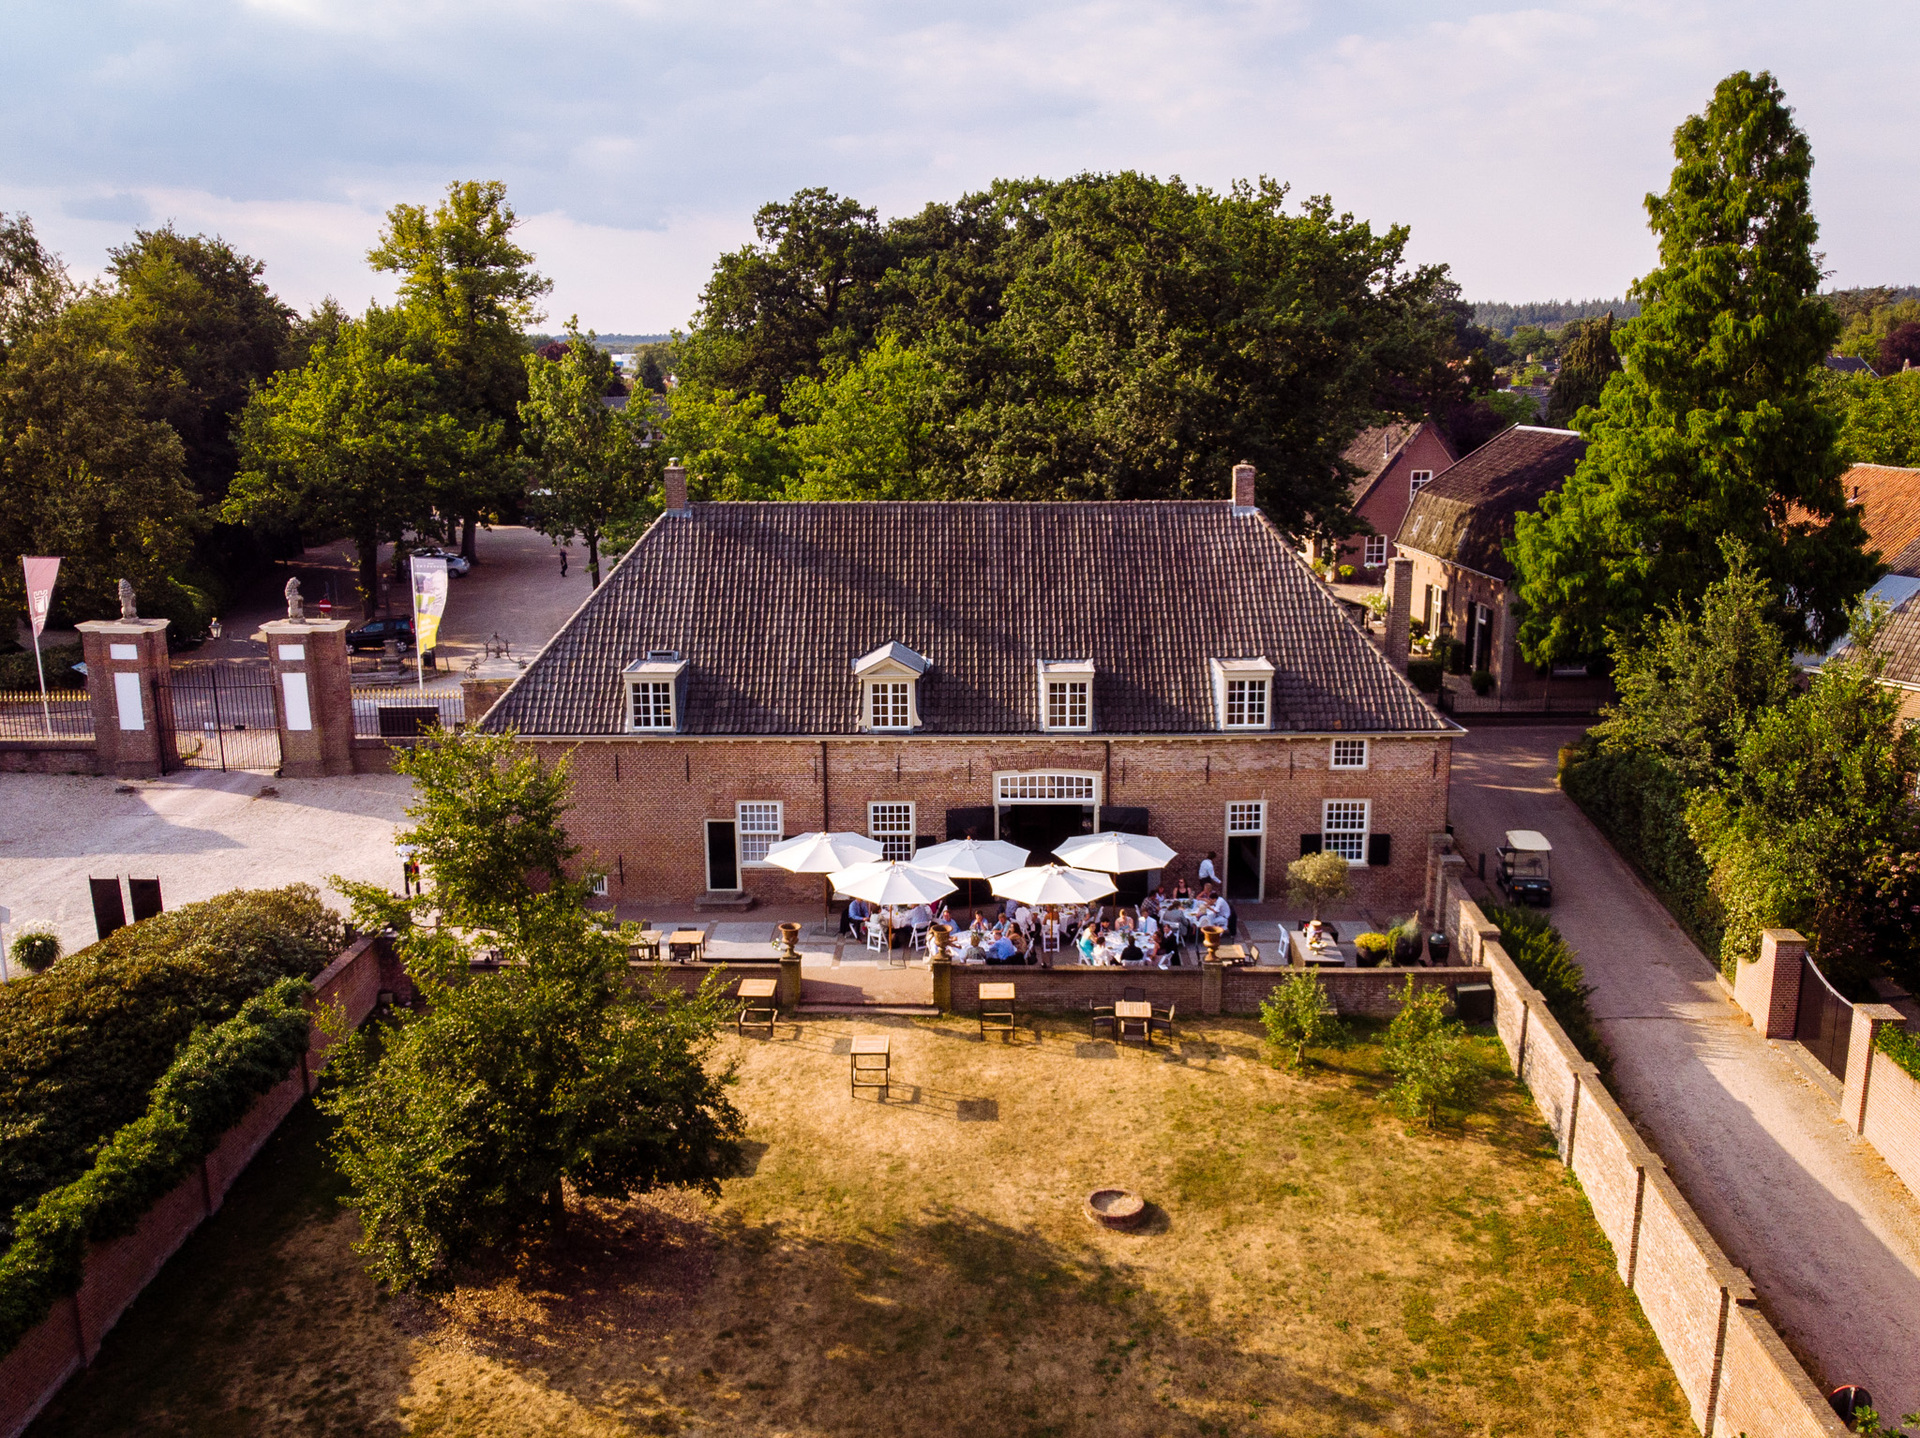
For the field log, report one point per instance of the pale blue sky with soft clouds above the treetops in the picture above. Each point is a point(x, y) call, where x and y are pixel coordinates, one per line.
point(636, 139)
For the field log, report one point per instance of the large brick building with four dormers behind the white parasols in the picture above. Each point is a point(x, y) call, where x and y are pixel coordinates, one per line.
point(1017, 671)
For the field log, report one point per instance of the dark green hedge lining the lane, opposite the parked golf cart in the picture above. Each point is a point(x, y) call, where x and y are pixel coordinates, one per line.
point(1641, 805)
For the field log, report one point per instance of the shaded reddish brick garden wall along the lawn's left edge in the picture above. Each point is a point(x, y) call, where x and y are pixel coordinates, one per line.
point(120, 1270)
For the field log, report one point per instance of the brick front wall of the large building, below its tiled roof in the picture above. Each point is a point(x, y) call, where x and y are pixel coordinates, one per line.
point(642, 805)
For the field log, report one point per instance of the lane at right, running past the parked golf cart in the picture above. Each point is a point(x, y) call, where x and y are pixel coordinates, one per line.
point(1831, 1237)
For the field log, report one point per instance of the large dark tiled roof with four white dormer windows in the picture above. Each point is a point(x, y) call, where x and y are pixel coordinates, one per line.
point(771, 604)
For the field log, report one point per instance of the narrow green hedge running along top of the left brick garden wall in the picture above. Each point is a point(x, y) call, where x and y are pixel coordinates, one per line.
point(218, 1076)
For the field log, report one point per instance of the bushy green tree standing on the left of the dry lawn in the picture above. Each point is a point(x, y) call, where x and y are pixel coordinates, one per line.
point(466, 1126)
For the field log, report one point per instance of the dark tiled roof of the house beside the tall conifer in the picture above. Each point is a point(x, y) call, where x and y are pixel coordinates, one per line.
point(1466, 515)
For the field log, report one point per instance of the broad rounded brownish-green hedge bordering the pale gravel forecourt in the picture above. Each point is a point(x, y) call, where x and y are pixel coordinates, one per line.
point(84, 1045)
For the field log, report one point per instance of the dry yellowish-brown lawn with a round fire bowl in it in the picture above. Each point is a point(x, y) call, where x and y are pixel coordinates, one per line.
point(923, 1266)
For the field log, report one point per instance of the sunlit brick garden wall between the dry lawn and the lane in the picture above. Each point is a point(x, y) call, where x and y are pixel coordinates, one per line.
point(1737, 1374)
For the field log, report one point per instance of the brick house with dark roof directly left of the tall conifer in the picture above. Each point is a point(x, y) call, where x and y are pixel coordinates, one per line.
point(1456, 533)
